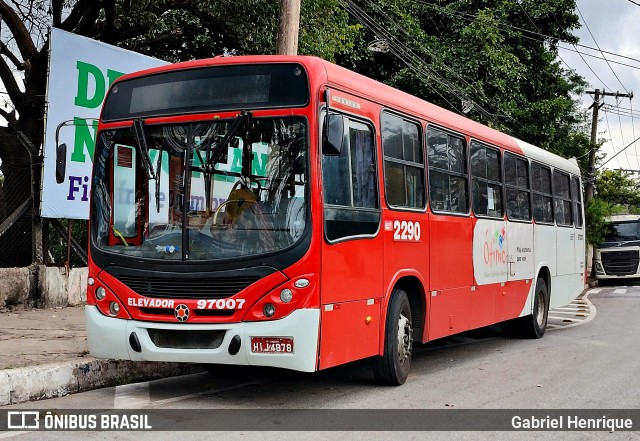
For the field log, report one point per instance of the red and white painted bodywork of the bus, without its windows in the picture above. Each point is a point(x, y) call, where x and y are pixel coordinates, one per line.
point(351, 280)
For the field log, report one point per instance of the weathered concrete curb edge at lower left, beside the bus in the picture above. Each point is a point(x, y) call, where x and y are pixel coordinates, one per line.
point(60, 379)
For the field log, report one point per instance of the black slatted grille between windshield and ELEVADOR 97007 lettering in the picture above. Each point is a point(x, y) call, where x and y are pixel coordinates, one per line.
point(192, 288)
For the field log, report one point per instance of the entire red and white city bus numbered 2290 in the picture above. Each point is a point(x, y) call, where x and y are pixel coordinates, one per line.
point(284, 211)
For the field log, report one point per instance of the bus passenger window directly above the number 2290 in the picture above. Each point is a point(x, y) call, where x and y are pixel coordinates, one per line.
point(403, 162)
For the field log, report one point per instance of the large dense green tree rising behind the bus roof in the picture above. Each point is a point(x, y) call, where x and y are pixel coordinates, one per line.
point(499, 55)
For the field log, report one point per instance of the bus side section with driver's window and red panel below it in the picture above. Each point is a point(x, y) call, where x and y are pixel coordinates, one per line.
point(351, 272)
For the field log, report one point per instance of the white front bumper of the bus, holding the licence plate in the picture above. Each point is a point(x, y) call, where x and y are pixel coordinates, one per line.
point(112, 338)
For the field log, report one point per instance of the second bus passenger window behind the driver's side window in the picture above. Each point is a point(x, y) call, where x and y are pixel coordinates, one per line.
point(447, 171)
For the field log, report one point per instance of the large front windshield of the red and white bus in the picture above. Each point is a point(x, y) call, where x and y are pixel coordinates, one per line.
point(175, 192)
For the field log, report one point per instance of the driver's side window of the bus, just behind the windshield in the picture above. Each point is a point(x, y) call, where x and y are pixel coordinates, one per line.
point(350, 186)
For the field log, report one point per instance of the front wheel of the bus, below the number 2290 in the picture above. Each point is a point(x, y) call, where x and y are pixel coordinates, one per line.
point(392, 368)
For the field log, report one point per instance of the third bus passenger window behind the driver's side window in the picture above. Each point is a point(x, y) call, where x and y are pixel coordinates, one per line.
point(487, 181)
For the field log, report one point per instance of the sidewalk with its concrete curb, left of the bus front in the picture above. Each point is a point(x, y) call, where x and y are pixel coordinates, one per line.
point(44, 354)
